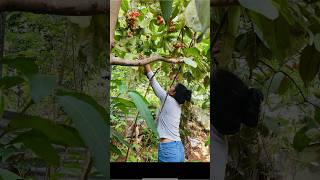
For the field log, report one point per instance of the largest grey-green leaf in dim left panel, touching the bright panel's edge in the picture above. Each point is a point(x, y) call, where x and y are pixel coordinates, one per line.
point(91, 126)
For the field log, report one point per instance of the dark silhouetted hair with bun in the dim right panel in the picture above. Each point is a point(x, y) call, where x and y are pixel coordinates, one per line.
point(233, 103)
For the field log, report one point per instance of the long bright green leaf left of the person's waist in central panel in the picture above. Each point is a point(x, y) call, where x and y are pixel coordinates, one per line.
point(143, 109)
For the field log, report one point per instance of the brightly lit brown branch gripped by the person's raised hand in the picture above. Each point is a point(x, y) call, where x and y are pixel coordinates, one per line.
point(123, 62)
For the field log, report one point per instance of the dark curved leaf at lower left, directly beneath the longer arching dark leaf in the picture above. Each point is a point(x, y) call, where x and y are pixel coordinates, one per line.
point(40, 145)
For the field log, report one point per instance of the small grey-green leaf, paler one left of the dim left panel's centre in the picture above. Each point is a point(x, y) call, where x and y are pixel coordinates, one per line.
point(41, 85)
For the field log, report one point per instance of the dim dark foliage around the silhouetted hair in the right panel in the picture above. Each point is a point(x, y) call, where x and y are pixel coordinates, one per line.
point(274, 46)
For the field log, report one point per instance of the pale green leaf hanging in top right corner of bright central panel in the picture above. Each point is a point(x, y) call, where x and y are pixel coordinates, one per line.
point(203, 12)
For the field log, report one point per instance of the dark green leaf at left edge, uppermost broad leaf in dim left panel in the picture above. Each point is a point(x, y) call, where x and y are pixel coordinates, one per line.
point(24, 64)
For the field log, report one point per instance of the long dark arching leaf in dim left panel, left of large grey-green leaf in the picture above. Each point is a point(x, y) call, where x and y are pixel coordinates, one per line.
point(57, 133)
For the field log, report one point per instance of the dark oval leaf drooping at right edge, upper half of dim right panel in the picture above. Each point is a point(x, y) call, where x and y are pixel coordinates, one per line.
point(309, 64)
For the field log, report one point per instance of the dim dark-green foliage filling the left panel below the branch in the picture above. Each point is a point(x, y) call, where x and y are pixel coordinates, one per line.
point(53, 94)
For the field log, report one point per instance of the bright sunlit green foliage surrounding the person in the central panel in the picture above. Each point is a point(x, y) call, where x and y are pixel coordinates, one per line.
point(172, 29)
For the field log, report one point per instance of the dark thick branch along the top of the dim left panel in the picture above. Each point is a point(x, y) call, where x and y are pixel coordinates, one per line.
point(58, 7)
